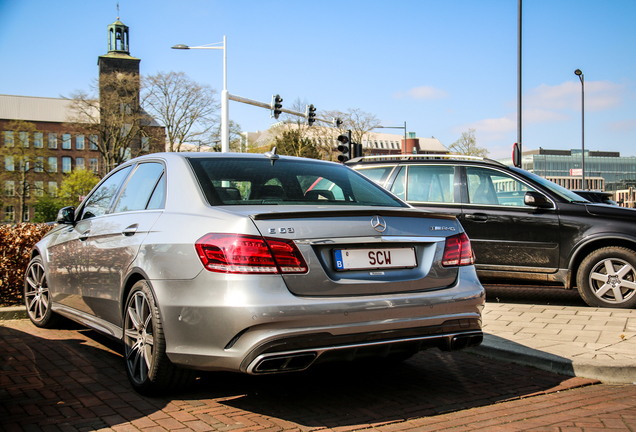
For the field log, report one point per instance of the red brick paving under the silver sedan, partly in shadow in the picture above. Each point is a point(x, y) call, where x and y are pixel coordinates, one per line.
point(73, 379)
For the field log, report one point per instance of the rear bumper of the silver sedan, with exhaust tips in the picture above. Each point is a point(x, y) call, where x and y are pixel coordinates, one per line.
point(255, 325)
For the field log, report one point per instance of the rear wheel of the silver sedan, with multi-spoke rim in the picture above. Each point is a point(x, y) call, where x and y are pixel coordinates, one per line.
point(148, 368)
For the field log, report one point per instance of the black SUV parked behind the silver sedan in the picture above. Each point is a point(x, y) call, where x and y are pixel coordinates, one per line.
point(523, 228)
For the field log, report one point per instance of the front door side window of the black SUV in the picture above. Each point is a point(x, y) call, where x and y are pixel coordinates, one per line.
point(486, 186)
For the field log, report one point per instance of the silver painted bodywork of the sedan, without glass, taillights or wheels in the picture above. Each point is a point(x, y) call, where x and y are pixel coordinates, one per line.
point(218, 321)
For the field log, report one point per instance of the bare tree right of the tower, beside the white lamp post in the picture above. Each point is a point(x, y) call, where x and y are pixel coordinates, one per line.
point(184, 107)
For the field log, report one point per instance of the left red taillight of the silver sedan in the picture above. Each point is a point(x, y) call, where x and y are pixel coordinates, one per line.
point(234, 253)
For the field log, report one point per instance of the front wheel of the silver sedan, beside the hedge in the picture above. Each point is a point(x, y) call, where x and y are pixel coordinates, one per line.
point(37, 297)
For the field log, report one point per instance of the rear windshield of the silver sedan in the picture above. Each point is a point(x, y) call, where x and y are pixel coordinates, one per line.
point(241, 181)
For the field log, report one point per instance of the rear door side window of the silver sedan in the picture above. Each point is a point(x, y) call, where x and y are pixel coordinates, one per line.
point(139, 187)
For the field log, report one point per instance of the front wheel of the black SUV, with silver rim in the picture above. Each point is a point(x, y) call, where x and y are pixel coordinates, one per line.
point(607, 278)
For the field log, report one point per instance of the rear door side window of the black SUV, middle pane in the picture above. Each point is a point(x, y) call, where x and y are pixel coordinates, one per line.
point(430, 183)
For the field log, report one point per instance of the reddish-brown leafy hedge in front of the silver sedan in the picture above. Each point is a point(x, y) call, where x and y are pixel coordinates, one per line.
point(16, 242)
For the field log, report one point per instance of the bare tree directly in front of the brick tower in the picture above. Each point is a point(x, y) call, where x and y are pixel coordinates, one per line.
point(114, 116)
